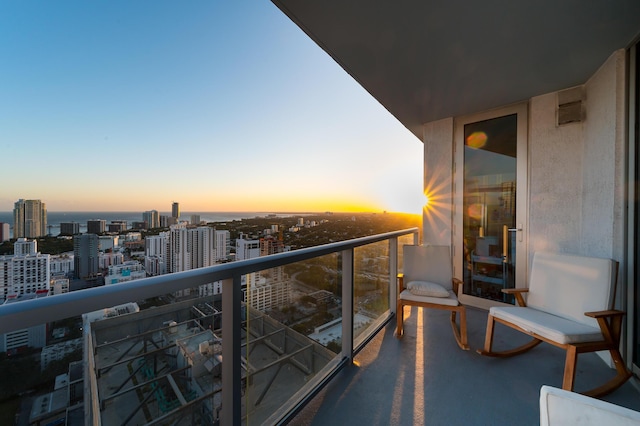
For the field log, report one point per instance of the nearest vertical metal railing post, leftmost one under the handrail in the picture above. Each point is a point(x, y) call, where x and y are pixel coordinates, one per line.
point(231, 346)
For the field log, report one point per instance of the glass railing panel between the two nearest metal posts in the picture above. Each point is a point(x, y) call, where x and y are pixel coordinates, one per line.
point(291, 334)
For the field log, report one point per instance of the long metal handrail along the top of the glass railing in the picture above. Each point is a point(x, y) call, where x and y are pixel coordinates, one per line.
point(28, 313)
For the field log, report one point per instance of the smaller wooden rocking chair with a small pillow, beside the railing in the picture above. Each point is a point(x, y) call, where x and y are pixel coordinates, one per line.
point(427, 282)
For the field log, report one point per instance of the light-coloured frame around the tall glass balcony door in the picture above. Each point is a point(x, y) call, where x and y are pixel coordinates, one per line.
point(522, 196)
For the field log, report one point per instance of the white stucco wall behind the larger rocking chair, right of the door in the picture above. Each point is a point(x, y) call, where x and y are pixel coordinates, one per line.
point(576, 171)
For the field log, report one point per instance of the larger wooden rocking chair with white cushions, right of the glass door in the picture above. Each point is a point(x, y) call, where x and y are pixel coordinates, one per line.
point(569, 303)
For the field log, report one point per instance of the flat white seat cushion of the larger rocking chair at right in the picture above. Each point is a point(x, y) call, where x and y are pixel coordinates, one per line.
point(552, 327)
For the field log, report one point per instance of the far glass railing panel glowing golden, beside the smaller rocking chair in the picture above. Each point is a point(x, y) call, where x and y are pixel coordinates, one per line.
point(370, 288)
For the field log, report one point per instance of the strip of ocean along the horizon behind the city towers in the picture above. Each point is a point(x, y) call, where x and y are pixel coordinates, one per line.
point(54, 219)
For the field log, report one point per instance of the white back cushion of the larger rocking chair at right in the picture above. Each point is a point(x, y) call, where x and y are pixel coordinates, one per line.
point(568, 285)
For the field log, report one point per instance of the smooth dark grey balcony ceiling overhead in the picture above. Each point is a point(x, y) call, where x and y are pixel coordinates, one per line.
point(424, 60)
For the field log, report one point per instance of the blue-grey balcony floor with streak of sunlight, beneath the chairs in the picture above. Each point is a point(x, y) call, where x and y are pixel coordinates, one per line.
point(424, 378)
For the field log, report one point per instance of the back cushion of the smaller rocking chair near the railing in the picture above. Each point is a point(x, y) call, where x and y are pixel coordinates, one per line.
point(428, 263)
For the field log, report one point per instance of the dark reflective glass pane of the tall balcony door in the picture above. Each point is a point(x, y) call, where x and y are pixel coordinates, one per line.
point(489, 207)
